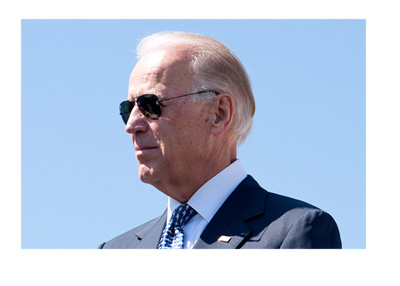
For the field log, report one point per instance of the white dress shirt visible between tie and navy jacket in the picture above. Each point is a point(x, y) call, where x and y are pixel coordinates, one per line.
point(207, 200)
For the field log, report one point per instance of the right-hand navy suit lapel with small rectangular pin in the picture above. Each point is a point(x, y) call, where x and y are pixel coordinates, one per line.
point(228, 228)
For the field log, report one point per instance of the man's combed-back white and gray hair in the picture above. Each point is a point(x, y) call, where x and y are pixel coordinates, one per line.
point(214, 67)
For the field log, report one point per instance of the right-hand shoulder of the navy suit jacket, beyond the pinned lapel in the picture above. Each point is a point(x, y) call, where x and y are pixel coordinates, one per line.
point(290, 223)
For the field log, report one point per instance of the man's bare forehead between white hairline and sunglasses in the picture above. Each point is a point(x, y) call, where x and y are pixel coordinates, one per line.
point(160, 71)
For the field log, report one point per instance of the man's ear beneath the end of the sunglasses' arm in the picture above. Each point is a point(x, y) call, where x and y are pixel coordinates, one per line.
point(222, 114)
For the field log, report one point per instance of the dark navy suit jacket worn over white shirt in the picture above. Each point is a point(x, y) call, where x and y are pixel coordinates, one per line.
point(252, 218)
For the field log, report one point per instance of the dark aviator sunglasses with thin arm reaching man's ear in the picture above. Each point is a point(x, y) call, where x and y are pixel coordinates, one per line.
point(149, 105)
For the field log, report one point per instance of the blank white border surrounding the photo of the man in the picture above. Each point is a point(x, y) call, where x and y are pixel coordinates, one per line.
point(92, 267)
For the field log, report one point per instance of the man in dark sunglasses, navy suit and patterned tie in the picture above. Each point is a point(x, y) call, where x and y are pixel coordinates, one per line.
point(190, 104)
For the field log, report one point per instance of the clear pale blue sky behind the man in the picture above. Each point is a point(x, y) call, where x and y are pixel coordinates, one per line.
point(79, 174)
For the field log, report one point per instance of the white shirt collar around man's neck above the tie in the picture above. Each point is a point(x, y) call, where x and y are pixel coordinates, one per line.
point(209, 198)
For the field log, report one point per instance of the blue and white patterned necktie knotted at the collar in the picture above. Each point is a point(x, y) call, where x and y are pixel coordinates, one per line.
point(172, 236)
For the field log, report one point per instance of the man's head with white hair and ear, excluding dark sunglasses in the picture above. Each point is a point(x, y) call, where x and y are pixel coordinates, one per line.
point(196, 136)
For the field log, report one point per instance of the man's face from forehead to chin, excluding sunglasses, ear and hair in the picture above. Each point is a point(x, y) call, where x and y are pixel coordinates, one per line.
point(175, 147)
